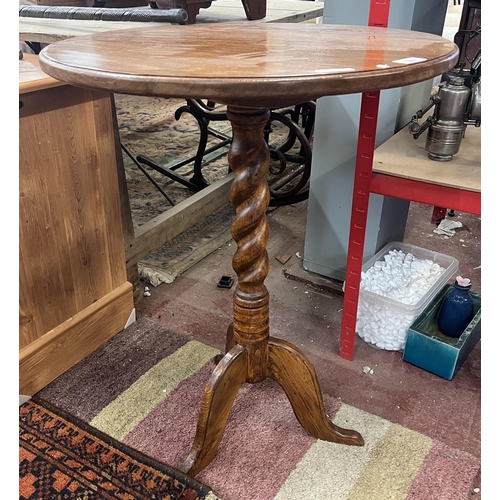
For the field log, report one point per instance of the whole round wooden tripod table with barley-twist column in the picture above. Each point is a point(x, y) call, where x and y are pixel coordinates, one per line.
point(251, 68)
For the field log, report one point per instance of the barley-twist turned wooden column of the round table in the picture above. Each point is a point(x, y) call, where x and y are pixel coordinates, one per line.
point(249, 160)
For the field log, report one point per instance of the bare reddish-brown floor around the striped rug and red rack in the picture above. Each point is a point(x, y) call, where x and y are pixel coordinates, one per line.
point(307, 313)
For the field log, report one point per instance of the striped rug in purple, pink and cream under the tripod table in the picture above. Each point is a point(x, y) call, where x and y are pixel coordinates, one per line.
point(144, 387)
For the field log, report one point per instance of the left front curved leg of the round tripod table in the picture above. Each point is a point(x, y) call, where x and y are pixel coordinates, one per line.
point(218, 398)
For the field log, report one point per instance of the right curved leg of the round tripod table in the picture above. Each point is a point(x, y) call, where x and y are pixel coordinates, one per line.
point(293, 371)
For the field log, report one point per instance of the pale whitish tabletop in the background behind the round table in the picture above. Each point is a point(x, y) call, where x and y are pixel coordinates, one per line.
point(43, 30)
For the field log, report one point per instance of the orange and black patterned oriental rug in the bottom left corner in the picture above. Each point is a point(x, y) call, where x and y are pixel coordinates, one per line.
point(62, 457)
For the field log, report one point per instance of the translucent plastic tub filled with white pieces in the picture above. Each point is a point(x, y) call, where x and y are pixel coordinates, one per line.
point(383, 321)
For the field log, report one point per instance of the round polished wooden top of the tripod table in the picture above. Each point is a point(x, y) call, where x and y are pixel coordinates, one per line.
point(254, 65)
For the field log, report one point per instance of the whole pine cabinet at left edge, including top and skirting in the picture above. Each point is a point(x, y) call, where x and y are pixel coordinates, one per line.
point(73, 289)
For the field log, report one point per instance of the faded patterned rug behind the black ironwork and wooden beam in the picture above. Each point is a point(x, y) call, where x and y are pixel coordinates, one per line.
point(148, 127)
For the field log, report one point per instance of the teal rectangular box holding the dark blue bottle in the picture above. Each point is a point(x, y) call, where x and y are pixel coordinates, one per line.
point(427, 348)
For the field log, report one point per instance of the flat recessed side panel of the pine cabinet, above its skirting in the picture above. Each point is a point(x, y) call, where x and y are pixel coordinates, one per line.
point(70, 237)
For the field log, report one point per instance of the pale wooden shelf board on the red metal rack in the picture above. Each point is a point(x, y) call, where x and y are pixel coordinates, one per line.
point(403, 156)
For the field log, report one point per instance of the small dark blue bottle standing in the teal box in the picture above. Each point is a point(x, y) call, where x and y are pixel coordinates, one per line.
point(456, 309)
